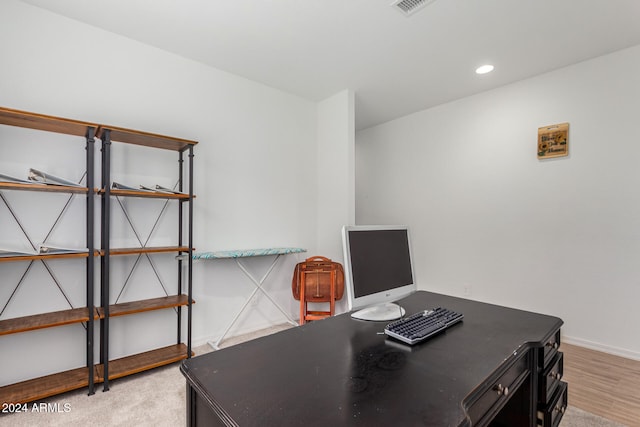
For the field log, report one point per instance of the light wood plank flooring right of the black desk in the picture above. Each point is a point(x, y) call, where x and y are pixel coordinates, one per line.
point(603, 384)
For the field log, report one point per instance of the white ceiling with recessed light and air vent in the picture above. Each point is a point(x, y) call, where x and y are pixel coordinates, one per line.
point(396, 65)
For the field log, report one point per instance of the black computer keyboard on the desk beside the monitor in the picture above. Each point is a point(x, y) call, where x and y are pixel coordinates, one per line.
point(422, 325)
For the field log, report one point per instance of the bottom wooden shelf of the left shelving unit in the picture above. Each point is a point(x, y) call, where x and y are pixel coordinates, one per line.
point(43, 387)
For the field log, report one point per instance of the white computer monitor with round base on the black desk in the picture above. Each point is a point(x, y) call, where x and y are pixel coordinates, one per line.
point(378, 270)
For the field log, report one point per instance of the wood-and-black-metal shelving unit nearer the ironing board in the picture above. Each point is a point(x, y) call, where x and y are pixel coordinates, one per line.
point(111, 369)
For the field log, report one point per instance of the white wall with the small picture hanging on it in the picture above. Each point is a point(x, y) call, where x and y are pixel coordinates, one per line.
point(556, 236)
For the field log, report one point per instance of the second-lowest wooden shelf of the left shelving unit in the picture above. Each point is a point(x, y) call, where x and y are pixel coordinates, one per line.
point(45, 320)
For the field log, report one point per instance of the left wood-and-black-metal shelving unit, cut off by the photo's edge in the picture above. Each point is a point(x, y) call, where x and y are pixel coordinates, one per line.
point(39, 388)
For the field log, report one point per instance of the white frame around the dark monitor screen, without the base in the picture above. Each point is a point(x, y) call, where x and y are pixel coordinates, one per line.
point(381, 297)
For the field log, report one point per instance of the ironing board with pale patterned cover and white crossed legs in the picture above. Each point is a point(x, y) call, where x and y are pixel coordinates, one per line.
point(238, 255)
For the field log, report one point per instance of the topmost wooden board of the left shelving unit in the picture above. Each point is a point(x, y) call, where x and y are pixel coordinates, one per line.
point(43, 122)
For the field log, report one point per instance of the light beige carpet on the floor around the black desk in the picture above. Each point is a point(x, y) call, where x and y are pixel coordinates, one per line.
point(157, 398)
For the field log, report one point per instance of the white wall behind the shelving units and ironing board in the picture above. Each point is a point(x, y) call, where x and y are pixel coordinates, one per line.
point(252, 190)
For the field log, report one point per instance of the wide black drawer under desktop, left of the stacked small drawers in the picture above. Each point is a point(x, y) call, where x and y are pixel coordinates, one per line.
point(499, 392)
